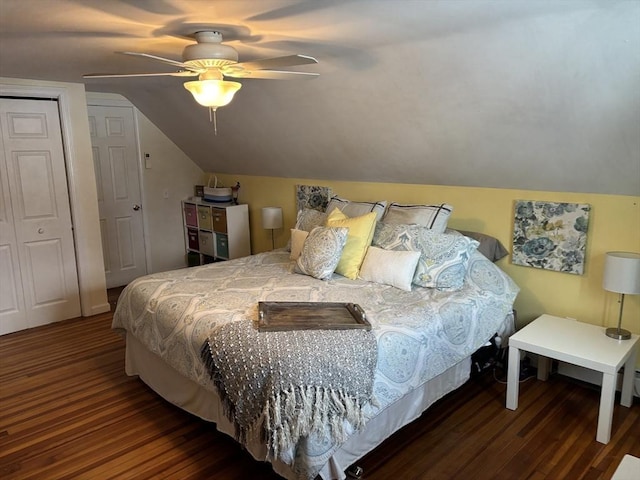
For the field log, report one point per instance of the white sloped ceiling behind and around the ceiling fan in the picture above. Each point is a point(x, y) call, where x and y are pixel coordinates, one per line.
point(524, 94)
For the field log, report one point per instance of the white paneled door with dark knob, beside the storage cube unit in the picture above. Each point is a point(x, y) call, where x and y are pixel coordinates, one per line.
point(115, 156)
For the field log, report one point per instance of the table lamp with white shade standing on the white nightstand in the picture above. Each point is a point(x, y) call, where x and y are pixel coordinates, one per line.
point(621, 275)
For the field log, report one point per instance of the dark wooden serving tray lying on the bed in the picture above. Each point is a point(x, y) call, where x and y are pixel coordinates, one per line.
point(279, 316)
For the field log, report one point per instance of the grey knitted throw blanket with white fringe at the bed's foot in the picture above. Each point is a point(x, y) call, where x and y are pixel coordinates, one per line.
point(290, 383)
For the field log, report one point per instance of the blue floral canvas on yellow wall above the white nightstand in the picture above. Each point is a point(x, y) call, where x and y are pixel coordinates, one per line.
point(550, 235)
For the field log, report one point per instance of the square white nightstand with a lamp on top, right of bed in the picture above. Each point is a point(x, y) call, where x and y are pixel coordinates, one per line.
point(581, 344)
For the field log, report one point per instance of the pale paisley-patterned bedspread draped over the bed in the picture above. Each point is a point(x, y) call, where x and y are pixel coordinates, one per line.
point(420, 333)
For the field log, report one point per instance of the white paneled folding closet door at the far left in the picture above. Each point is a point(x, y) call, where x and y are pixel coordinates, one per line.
point(38, 274)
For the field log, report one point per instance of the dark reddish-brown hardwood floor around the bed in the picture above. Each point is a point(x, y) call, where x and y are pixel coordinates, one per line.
point(67, 410)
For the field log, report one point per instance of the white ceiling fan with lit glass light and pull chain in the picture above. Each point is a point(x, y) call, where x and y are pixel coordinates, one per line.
point(211, 60)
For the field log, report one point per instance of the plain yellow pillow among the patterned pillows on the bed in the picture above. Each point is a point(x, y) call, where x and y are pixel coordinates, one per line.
point(360, 235)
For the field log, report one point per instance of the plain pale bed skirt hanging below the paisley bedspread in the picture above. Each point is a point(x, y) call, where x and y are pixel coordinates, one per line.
point(206, 404)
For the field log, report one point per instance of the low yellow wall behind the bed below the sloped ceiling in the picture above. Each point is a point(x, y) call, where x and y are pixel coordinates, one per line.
point(614, 224)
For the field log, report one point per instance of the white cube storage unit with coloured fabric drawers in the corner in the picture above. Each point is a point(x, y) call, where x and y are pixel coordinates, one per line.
point(215, 231)
